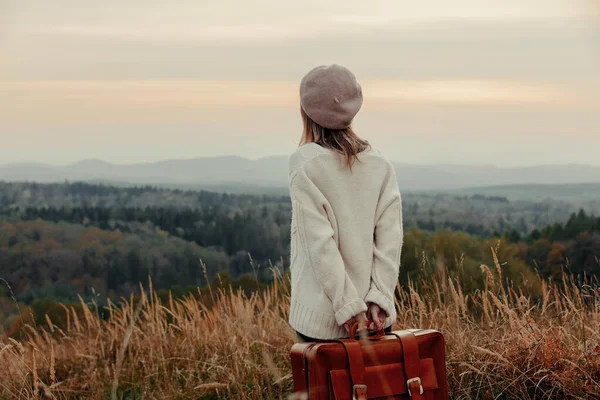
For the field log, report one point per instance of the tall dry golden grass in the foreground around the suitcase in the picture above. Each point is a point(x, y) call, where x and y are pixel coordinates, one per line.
point(501, 344)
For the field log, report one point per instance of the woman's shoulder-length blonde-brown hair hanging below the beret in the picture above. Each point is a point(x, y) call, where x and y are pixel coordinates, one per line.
point(344, 141)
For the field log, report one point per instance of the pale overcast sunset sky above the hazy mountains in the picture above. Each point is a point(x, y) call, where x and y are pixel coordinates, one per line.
point(509, 83)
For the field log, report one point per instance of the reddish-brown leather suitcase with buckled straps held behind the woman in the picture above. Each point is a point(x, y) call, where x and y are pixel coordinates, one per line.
point(407, 364)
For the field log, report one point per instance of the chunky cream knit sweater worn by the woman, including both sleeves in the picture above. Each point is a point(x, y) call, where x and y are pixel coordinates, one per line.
point(346, 238)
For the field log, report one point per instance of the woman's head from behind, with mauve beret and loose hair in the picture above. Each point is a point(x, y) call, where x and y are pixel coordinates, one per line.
point(330, 98)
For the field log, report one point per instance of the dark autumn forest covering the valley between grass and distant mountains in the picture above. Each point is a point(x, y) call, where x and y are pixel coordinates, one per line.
point(58, 241)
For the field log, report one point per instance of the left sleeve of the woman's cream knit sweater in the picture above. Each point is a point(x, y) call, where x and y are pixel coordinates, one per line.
point(323, 256)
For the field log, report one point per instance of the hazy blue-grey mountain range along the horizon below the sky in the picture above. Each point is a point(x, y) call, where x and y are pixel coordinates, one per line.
point(271, 172)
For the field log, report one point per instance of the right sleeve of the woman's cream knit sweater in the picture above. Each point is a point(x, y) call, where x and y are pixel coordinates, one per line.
point(387, 246)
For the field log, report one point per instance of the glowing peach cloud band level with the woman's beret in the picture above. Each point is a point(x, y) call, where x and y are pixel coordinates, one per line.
point(69, 103)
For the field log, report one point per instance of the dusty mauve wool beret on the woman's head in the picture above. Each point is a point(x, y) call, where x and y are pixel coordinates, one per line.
point(331, 96)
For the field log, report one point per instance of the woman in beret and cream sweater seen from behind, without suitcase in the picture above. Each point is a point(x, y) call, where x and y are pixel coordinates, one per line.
point(346, 232)
